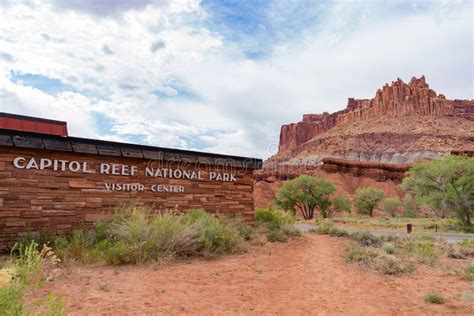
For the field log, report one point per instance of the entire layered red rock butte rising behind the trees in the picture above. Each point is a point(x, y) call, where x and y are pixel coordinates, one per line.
point(372, 142)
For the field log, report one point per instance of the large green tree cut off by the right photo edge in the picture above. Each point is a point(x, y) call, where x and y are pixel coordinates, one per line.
point(445, 185)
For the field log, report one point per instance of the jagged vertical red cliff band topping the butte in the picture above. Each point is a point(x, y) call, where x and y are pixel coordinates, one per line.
point(396, 100)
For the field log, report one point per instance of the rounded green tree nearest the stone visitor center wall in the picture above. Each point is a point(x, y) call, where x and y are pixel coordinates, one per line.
point(305, 193)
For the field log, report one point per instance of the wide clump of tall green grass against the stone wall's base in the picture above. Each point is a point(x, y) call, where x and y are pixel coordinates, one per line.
point(135, 235)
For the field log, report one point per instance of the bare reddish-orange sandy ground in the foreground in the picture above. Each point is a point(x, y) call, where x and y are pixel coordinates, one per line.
point(305, 276)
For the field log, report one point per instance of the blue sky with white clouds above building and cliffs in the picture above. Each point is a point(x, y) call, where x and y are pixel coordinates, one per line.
point(220, 76)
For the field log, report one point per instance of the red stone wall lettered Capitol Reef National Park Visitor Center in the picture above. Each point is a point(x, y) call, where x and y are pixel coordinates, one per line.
point(55, 190)
